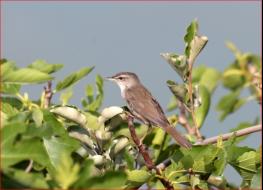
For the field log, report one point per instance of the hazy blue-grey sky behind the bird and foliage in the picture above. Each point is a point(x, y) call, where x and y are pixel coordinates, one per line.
point(130, 36)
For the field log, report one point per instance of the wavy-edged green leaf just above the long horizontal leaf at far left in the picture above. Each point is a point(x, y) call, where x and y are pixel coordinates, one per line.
point(43, 66)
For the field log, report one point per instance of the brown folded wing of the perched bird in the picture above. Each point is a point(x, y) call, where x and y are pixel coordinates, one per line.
point(141, 101)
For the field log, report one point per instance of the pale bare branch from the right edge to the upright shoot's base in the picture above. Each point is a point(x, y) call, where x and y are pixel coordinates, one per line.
point(226, 136)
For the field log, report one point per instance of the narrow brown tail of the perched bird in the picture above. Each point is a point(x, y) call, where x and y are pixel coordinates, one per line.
point(177, 136)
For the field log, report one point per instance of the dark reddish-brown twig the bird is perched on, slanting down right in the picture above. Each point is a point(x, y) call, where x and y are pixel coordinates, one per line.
point(148, 161)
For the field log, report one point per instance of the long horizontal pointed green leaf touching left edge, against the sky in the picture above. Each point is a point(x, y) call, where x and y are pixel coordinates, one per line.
point(26, 76)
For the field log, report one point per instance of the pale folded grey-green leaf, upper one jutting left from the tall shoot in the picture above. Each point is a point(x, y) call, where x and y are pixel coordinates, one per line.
point(178, 63)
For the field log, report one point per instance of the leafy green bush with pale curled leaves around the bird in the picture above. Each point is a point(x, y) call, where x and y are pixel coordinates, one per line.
point(46, 144)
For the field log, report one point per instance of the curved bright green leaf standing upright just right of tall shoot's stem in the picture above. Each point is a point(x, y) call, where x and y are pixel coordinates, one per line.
point(202, 111)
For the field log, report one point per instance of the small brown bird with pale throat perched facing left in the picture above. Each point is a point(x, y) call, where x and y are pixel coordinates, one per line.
point(143, 106)
